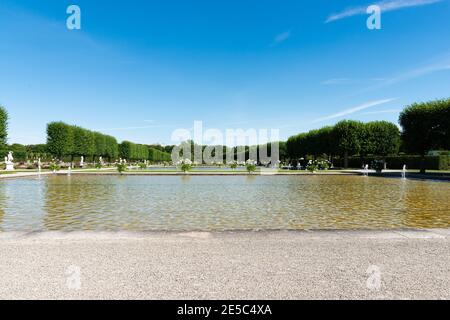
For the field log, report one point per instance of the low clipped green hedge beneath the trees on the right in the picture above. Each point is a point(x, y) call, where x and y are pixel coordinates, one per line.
point(441, 162)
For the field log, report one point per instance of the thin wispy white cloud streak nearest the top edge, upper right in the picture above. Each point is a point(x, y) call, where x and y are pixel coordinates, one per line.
point(386, 5)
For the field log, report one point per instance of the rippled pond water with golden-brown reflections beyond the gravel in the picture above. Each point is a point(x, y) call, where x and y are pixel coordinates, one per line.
point(141, 203)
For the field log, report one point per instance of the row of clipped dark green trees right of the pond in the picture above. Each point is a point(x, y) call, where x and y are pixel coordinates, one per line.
point(425, 127)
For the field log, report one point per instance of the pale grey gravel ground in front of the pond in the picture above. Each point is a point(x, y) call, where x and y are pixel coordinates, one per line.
point(229, 265)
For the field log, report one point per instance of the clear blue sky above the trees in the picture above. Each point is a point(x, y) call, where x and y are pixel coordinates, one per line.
point(140, 69)
